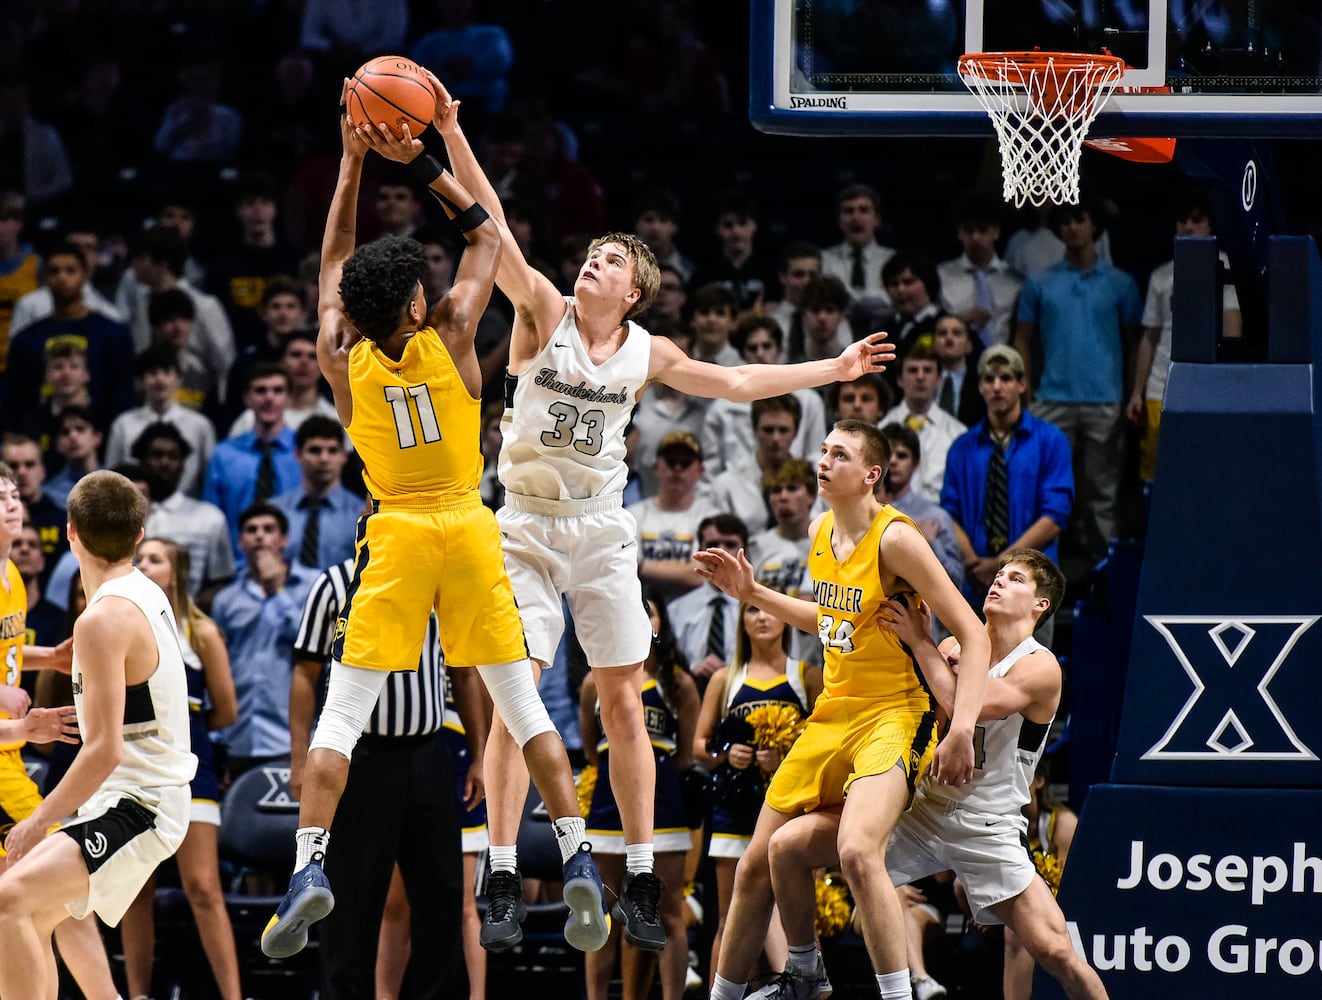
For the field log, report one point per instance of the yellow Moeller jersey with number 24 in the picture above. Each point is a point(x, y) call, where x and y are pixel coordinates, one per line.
point(863, 659)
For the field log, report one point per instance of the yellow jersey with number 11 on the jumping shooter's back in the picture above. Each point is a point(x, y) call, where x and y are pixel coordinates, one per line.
point(414, 423)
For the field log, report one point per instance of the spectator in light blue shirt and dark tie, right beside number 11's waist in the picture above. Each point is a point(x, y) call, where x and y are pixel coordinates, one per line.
point(323, 515)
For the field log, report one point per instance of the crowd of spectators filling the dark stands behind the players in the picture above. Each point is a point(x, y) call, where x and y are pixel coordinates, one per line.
point(165, 175)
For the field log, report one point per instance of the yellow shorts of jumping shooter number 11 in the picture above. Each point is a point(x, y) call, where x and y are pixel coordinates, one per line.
point(414, 558)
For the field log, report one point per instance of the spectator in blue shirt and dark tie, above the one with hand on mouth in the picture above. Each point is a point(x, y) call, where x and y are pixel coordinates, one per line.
point(261, 464)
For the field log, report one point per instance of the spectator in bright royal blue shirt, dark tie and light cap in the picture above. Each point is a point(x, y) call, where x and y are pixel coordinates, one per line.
point(1040, 477)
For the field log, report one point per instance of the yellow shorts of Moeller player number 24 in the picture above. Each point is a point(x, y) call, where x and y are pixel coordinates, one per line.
point(841, 748)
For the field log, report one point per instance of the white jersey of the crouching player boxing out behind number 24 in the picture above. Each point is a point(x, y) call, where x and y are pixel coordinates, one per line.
point(1005, 756)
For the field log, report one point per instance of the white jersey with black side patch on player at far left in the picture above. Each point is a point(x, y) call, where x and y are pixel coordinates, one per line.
point(157, 727)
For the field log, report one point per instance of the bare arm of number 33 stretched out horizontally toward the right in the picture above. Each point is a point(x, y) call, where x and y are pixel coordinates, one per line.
point(748, 383)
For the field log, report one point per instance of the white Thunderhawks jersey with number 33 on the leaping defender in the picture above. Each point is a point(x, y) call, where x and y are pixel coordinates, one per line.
point(564, 429)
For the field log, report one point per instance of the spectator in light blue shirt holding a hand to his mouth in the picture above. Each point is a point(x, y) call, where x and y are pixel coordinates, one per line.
point(260, 617)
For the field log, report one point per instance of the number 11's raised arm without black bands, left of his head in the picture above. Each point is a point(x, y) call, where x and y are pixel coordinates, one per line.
point(336, 335)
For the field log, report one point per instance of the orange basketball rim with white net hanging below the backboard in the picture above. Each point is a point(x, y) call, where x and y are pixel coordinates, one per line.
point(1041, 105)
